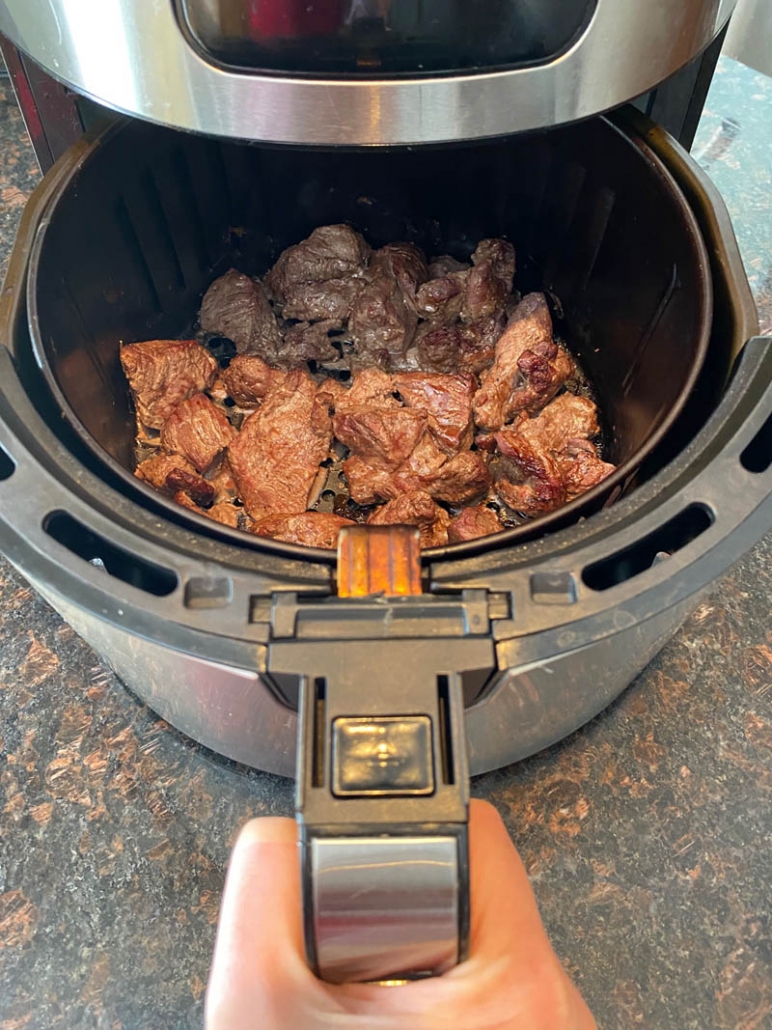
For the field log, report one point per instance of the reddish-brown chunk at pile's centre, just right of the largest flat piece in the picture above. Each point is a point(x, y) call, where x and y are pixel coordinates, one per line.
point(385, 438)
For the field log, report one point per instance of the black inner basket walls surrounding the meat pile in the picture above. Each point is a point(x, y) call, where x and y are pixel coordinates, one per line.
point(141, 229)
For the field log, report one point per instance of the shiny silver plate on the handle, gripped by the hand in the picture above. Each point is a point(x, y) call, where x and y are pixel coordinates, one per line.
point(383, 906)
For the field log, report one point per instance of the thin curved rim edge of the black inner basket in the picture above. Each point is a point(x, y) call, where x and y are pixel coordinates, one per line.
point(593, 500)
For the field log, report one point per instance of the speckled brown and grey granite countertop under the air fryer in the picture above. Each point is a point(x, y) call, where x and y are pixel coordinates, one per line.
point(647, 834)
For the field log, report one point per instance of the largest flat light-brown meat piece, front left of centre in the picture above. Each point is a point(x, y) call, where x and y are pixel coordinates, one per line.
point(276, 456)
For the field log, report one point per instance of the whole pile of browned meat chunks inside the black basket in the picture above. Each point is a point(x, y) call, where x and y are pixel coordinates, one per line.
point(360, 386)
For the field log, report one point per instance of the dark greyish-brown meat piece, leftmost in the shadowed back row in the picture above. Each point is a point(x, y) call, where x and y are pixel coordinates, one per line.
point(237, 306)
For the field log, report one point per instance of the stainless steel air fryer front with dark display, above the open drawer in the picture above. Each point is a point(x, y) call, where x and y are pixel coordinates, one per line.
point(363, 73)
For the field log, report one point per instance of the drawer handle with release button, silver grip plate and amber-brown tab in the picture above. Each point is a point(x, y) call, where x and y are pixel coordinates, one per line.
point(383, 788)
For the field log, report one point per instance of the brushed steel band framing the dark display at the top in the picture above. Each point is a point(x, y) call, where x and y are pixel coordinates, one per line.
point(136, 59)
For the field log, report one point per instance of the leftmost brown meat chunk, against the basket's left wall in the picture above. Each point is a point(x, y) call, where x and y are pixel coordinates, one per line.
point(164, 372)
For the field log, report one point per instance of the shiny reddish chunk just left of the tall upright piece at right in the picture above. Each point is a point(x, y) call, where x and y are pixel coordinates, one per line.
point(447, 399)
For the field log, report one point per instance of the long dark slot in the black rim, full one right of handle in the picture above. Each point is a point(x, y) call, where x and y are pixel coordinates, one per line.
point(623, 566)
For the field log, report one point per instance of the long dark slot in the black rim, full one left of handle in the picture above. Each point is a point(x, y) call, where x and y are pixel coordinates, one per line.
point(124, 566)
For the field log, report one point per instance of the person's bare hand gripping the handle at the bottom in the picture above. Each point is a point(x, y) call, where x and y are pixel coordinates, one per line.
point(260, 980)
